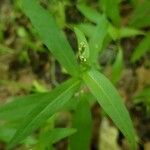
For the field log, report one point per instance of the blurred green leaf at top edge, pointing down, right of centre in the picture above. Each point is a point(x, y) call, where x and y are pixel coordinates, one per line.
point(111, 9)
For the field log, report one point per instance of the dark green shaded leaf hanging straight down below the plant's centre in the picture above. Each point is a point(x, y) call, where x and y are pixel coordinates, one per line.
point(83, 123)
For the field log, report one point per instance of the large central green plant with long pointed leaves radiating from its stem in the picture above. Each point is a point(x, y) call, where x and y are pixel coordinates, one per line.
point(84, 73)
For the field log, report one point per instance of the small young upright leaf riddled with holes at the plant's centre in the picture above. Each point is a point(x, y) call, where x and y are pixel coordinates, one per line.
point(82, 45)
